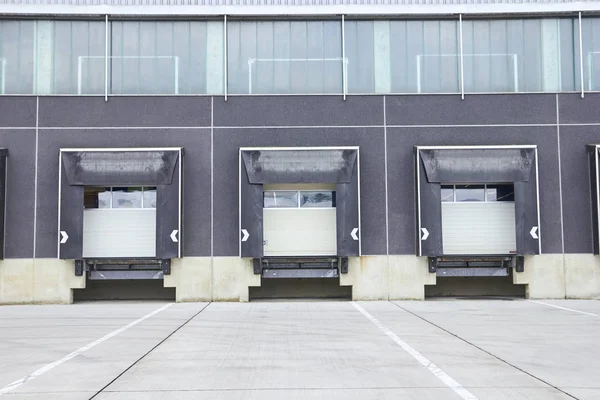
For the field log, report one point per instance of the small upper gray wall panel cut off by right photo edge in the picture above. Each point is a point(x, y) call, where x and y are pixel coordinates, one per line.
point(575, 110)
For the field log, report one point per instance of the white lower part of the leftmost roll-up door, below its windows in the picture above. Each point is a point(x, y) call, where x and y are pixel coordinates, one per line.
point(119, 233)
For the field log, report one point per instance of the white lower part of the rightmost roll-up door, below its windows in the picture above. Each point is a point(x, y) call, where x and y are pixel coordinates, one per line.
point(479, 228)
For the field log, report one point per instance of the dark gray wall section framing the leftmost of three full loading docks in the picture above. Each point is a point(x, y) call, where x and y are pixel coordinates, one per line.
point(86, 122)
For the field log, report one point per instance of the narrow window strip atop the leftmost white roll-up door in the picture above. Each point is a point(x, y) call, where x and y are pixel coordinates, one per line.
point(119, 197)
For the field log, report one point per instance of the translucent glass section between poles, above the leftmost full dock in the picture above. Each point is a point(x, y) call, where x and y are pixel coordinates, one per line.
point(166, 57)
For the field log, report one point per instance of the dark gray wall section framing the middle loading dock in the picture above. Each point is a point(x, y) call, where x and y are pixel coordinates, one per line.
point(320, 121)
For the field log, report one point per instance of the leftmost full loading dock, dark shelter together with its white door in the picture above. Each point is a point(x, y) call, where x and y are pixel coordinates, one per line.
point(128, 232)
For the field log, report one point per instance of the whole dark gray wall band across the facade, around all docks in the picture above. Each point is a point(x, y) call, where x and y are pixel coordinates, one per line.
point(298, 121)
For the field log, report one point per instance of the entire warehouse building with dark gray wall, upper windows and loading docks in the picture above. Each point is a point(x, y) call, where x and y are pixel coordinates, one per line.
point(236, 150)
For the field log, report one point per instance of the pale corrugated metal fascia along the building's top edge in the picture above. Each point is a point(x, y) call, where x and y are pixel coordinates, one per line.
point(257, 8)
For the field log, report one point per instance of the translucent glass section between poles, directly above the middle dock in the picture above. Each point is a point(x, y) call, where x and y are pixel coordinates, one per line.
point(284, 57)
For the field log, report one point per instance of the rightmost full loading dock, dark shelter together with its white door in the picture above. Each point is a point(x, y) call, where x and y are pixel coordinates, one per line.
point(438, 167)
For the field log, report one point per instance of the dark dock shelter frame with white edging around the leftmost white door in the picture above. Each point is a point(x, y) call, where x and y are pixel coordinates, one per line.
point(149, 167)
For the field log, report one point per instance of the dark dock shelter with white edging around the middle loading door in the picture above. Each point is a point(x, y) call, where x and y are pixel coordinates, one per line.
point(338, 167)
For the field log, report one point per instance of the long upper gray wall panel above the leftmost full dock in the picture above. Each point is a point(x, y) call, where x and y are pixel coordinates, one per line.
point(124, 111)
